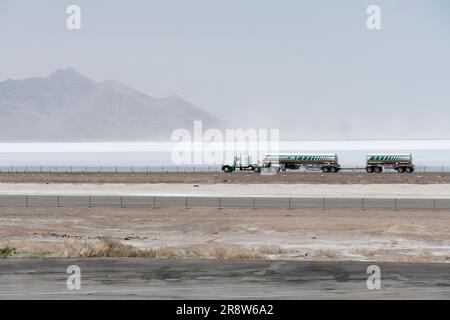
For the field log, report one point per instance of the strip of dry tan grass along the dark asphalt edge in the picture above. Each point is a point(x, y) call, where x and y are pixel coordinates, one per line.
point(111, 247)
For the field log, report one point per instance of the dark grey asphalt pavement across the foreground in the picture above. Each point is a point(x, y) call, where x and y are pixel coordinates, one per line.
point(130, 278)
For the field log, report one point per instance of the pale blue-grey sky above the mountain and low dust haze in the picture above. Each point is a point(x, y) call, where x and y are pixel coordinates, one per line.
point(239, 57)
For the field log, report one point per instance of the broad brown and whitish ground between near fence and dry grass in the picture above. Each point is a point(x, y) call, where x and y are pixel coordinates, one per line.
point(418, 236)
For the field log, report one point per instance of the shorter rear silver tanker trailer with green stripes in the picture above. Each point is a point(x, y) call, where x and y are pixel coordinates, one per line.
point(400, 162)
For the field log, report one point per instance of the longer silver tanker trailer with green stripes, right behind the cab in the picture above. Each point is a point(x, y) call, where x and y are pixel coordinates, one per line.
point(309, 161)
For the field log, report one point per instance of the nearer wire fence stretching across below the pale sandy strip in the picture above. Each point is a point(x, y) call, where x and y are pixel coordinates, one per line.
point(221, 202)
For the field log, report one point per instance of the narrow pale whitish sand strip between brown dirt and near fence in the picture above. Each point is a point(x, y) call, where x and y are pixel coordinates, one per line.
point(427, 191)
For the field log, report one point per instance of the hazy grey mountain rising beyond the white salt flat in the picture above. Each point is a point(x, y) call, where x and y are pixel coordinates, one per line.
point(68, 106)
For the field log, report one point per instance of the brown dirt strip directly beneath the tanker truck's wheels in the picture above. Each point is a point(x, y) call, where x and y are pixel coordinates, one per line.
point(236, 177)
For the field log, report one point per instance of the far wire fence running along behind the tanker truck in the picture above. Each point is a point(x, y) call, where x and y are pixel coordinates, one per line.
point(171, 169)
